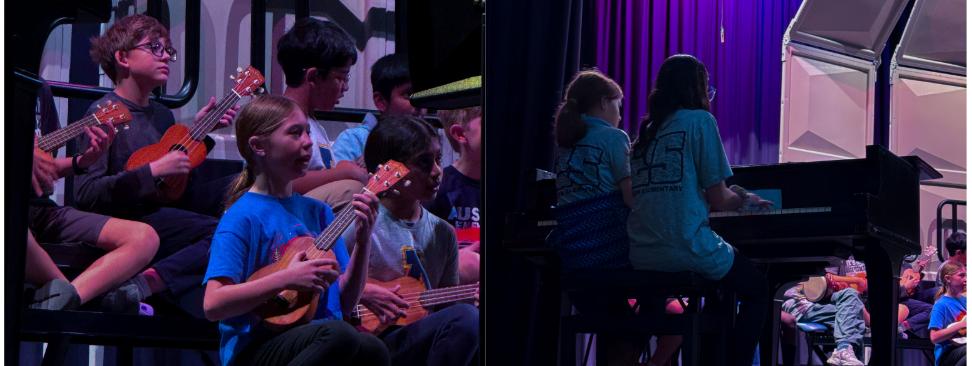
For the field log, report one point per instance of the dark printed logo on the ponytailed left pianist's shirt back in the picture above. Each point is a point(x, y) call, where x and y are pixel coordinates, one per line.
point(579, 170)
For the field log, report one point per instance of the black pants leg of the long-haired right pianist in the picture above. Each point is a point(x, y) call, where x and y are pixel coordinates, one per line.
point(752, 291)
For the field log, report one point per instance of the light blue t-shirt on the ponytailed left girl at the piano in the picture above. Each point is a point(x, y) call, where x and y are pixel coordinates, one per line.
point(594, 165)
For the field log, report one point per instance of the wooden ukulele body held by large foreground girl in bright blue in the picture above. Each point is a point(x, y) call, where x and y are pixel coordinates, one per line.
point(290, 308)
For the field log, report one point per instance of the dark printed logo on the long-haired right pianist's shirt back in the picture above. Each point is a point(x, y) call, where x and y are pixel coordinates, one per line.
point(661, 163)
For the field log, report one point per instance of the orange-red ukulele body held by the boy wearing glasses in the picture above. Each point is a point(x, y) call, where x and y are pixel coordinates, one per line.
point(175, 138)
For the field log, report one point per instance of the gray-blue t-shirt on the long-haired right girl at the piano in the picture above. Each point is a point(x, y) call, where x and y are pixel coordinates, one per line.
point(669, 222)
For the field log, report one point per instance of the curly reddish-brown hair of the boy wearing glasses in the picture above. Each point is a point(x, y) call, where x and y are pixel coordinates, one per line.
point(123, 36)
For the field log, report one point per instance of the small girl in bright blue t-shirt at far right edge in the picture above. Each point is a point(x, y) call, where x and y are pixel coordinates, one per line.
point(947, 323)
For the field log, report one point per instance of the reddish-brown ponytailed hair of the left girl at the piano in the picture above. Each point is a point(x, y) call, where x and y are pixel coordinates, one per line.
point(587, 90)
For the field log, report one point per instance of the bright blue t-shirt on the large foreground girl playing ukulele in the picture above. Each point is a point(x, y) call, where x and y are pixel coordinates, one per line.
point(253, 234)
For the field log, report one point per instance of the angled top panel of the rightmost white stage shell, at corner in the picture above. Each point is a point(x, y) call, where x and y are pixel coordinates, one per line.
point(934, 38)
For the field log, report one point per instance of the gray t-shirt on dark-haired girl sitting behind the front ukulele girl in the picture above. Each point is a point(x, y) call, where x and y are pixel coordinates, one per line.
point(433, 240)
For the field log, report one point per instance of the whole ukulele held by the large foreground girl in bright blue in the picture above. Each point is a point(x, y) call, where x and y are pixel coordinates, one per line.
point(290, 307)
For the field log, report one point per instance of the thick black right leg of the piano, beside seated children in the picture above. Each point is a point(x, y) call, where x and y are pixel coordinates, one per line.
point(883, 270)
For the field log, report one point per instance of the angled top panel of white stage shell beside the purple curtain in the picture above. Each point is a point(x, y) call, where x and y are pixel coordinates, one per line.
point(858, 28)
